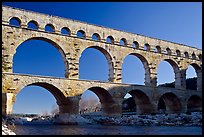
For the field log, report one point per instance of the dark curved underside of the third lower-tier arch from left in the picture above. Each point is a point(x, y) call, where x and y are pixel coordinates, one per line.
point(142, 101)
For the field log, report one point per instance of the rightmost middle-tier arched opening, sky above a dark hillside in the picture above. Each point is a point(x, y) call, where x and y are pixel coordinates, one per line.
point(192, 81)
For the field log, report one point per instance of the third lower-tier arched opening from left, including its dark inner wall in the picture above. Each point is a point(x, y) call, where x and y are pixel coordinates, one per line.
point(137, 102)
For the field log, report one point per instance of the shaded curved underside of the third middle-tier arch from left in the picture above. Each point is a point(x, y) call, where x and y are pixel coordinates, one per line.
point(145, 65)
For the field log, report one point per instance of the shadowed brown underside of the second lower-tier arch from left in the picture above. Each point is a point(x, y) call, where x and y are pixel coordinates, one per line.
point(105, 99)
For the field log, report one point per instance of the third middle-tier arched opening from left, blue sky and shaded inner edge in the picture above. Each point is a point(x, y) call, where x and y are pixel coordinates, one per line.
point(135, 69)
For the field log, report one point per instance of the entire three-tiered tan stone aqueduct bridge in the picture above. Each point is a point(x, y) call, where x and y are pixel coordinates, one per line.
point(68, 90)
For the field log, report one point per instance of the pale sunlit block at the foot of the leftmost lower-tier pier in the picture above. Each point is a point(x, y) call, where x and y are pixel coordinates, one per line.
point(7, 103)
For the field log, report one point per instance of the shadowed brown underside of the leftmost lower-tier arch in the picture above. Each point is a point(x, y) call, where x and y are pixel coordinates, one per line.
point(61, 100)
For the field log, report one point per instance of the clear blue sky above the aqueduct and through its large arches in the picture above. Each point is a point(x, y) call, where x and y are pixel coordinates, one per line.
point(179, 22)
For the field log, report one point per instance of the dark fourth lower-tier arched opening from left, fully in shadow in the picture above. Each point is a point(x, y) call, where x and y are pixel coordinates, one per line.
point(169, 103)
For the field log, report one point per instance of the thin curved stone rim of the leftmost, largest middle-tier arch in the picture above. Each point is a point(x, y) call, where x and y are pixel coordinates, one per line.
point(62, 52)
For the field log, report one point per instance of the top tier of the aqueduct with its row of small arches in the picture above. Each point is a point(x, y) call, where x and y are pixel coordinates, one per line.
point(58, 25)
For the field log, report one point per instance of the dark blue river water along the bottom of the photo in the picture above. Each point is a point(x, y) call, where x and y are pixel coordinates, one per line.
point(105, 130)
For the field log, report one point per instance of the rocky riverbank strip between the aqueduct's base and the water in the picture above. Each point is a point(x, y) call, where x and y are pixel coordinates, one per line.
point(193, 119)
